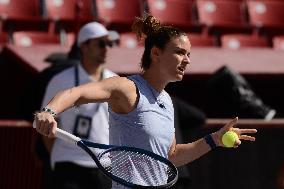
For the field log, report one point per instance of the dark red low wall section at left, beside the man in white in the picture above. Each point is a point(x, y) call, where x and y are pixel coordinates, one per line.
point(19, 167)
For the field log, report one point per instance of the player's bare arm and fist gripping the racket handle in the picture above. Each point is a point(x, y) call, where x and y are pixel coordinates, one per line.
point(119, 92)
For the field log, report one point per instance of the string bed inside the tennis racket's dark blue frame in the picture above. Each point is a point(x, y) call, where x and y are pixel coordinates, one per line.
point(137, 168)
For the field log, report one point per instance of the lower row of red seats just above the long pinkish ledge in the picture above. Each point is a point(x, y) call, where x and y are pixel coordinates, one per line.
point(129, 40)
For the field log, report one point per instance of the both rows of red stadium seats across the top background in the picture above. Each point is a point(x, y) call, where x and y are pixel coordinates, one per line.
point(250, 19)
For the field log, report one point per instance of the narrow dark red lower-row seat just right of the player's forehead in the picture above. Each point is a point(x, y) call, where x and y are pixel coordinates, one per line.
point(199, 40)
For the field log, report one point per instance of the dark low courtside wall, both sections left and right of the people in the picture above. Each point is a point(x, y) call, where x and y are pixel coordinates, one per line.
point(254, 165)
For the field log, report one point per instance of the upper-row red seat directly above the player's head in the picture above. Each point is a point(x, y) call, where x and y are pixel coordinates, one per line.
point(180, 13)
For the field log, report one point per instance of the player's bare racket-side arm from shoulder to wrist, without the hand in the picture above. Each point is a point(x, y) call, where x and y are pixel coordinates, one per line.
point(113, 90)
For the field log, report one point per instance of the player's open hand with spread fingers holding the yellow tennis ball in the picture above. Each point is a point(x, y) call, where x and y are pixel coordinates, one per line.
point(242, 133)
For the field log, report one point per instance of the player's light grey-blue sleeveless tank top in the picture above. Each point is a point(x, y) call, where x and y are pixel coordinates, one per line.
point(149, 126)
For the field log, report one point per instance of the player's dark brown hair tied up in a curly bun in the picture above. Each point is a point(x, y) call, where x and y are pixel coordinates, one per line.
point(155, 34)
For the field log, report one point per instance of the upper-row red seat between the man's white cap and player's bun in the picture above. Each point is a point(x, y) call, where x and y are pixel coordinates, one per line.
point(118, 14)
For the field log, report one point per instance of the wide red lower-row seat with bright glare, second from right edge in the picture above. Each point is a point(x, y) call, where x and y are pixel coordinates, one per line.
point(237, 41)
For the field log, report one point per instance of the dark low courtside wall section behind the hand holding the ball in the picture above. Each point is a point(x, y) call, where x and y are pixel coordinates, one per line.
point(254, 165)
